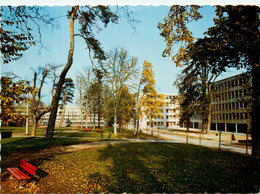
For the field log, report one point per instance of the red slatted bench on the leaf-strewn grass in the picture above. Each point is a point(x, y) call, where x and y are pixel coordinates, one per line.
point(25, 172)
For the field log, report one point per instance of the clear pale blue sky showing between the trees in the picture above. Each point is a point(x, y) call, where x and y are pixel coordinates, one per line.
point(144, 42)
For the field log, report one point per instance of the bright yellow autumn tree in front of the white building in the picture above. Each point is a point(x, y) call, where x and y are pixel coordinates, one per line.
point(151, 102)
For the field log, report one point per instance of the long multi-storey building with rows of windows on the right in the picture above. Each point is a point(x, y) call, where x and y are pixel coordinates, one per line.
point(231, 104)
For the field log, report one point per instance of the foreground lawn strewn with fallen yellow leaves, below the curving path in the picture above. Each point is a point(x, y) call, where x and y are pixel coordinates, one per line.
point(149, 167)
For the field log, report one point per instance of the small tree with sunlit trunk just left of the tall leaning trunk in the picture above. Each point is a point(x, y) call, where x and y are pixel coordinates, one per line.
point(38, 108)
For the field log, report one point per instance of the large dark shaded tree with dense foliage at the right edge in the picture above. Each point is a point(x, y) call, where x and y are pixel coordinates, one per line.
point(236, 30)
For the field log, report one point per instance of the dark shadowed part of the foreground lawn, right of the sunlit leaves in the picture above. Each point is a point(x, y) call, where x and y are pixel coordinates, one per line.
point(162, 167)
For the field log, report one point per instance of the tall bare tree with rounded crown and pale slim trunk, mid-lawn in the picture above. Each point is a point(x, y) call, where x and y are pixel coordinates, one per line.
point(120, 70)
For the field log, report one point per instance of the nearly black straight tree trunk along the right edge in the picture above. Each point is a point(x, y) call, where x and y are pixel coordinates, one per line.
point(255, 121)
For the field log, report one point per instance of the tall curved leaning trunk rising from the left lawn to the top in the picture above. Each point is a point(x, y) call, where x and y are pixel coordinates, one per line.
point(56, 97)
